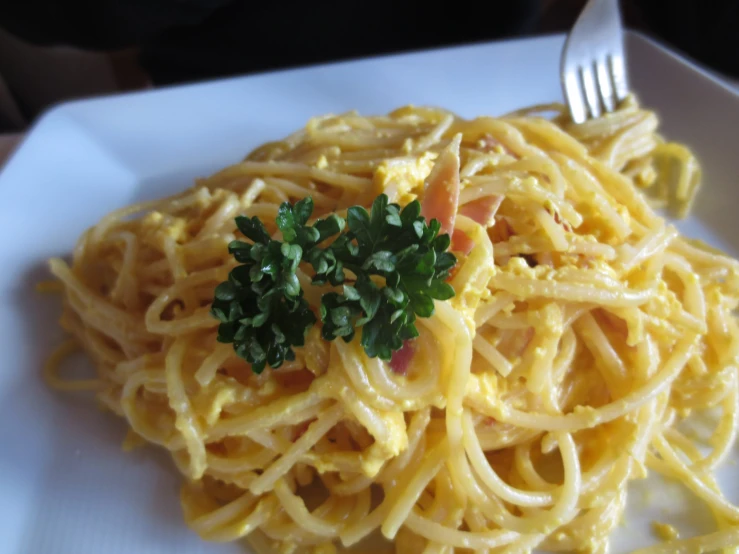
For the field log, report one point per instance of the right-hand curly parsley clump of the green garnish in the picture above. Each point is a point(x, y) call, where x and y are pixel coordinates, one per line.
point(391, 244)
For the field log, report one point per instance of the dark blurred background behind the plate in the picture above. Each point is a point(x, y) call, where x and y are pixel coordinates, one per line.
point(161, 42)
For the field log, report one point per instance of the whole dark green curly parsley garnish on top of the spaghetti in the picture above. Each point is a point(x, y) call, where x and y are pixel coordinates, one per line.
point(391, 262)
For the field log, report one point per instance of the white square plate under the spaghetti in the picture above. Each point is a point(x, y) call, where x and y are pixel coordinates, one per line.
point(65, 485)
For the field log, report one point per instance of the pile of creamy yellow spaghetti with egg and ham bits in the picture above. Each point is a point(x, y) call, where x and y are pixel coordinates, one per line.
point(584, 328)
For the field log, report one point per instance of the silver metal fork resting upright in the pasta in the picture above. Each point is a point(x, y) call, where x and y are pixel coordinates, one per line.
point(593, 66)
